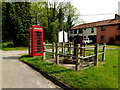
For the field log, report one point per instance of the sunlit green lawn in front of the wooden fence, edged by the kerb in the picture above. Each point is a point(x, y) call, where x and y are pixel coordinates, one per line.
point(103, 76)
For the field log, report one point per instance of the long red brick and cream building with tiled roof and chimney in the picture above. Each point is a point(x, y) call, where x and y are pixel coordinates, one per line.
point(107, 31)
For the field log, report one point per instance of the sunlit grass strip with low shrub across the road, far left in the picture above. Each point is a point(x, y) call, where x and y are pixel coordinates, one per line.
point(9, 46)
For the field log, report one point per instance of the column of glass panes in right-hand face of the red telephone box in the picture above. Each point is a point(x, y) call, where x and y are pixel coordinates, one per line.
point(38, 42)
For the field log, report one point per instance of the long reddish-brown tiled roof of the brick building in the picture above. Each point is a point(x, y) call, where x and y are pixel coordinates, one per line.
point(99, 23)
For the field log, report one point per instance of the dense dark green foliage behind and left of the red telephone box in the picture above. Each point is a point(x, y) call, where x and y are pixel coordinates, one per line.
point(16, 20)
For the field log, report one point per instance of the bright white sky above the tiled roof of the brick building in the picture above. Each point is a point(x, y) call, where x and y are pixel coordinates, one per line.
point(91, 7)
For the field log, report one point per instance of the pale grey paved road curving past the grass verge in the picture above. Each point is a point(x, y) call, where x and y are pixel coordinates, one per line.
point(16, 74)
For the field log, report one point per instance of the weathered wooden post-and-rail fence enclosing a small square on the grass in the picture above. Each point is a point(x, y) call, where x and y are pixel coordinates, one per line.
point(56, 52)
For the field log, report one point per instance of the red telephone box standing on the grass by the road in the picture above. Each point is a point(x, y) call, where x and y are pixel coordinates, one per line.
point(35, 40)
